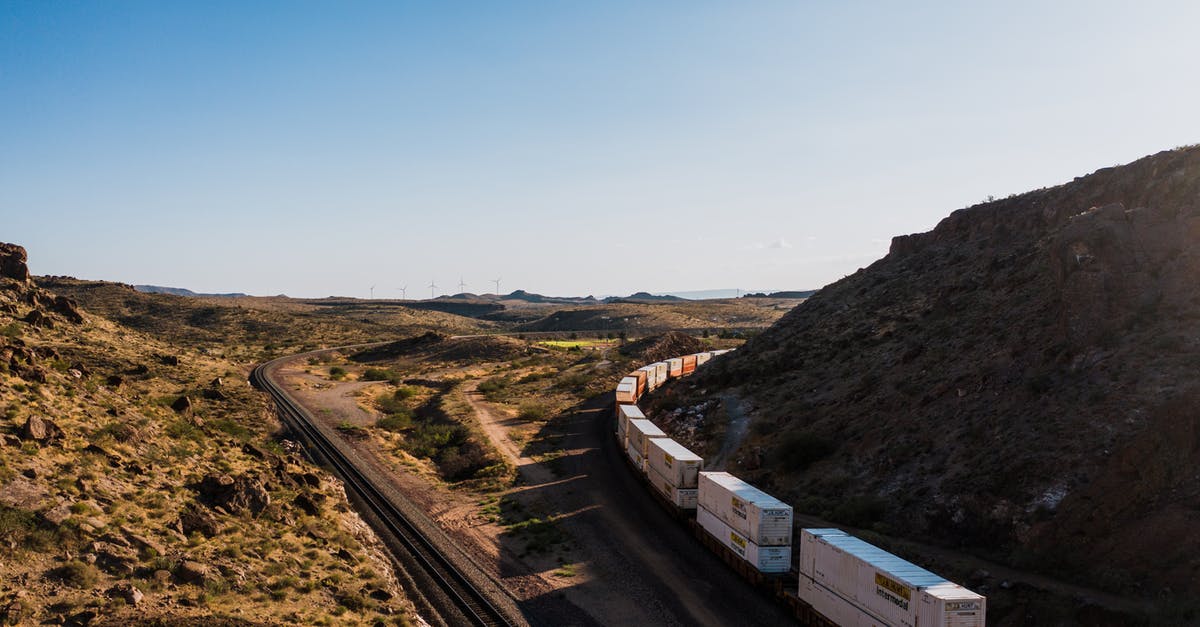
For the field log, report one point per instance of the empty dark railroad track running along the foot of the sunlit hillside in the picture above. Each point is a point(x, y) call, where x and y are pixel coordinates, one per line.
point(464, 596)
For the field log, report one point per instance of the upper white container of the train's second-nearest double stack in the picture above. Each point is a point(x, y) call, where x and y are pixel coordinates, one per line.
point(749, 511)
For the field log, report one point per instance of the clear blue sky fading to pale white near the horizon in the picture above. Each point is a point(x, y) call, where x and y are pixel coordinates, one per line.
point(569, 148)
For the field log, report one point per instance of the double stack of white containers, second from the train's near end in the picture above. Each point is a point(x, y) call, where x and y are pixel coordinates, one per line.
point(751, 523)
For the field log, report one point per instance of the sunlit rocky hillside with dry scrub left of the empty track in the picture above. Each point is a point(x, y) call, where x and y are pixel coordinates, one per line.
point(145, 482)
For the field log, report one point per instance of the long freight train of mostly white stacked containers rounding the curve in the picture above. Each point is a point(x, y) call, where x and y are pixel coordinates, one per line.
point(832, 578)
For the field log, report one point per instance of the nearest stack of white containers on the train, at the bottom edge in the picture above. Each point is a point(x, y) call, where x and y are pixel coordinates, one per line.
point(838, 570)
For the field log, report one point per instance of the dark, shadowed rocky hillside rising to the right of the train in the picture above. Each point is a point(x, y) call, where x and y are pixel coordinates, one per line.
point(1021, 381)
